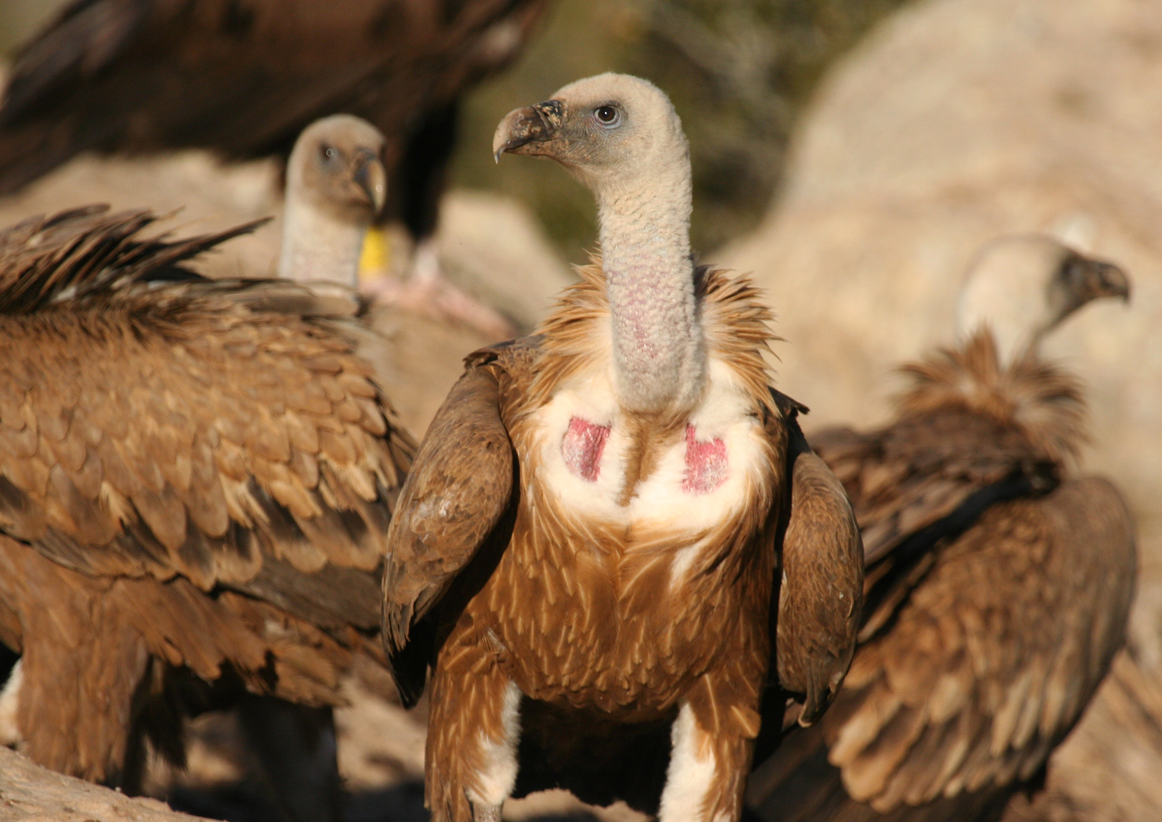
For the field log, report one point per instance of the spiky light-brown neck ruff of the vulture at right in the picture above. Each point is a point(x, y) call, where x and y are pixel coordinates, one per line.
point(1041, 399)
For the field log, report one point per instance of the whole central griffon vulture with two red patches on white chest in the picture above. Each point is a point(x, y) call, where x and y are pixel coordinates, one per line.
point(587, 549)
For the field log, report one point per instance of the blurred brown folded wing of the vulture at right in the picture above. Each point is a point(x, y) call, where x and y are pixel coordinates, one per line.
point(987, 667)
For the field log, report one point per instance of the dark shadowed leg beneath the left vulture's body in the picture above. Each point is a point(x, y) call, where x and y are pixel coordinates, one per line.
point(297, 752)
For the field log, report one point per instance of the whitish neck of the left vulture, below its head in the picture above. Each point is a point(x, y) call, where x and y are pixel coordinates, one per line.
point(320, 246)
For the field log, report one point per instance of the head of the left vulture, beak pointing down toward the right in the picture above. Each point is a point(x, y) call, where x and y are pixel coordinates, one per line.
point(338, 168)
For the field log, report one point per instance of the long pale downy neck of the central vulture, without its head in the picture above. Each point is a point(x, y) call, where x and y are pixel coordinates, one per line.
point(658, 347)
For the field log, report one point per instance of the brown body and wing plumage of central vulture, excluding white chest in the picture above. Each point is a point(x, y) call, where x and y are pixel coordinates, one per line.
point(503, 573)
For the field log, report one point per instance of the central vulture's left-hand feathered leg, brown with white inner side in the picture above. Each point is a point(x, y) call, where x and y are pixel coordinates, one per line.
point(471, 761)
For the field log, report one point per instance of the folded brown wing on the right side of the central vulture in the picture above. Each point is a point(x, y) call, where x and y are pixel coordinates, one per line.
point(823, 563)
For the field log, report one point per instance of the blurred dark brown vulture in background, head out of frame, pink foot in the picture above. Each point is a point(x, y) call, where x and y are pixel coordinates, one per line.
point(245, 77)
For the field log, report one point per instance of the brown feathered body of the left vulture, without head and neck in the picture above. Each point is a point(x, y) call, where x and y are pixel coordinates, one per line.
point(196, 483)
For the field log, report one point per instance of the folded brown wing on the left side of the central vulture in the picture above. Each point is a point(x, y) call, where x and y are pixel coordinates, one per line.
point(460, 489)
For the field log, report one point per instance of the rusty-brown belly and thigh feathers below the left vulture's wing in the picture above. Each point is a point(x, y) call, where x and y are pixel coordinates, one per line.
point(101, 655)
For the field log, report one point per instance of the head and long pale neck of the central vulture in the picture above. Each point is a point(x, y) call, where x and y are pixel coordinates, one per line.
point(621, 137)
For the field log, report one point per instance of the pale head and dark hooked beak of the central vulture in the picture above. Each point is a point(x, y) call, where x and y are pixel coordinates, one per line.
point(615, 133)
